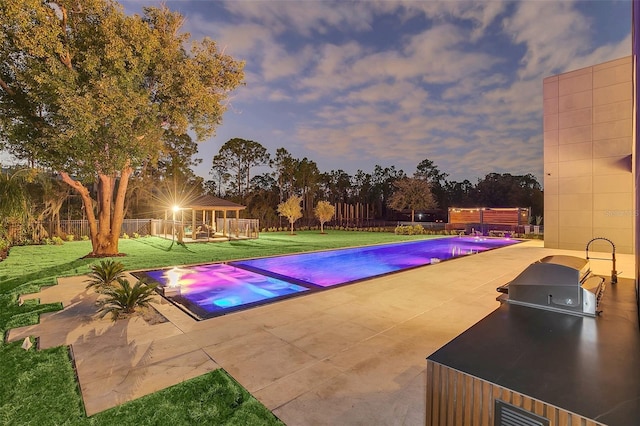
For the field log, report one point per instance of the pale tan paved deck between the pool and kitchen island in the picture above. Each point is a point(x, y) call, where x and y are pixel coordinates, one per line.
point(351, 355)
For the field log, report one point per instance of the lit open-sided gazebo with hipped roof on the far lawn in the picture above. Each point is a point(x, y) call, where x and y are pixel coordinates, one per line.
point(200, 217)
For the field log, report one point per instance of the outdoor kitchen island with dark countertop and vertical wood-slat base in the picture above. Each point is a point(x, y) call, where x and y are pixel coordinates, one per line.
point(528, 366)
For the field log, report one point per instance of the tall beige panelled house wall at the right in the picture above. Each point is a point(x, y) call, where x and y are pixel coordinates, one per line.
point(589, 183)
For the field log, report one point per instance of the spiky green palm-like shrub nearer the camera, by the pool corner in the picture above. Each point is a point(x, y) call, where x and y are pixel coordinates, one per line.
point(122, 299)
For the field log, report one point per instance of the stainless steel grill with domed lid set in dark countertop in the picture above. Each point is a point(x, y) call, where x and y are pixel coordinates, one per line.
point(557, 283)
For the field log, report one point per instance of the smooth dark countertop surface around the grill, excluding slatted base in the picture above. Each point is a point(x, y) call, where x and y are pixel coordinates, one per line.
point(590, 366)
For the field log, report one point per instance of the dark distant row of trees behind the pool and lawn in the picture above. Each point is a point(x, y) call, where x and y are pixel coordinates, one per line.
point(390, 192)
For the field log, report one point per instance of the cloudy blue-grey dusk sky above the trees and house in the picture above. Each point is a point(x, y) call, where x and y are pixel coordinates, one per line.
point(354, 84)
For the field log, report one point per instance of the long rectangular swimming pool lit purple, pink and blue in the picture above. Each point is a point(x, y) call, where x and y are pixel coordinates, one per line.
point(206, 291)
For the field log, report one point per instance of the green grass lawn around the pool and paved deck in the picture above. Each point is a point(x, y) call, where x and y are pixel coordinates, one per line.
point(39, 387)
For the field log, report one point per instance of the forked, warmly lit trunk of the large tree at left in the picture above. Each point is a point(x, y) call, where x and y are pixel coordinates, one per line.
point(105, 230)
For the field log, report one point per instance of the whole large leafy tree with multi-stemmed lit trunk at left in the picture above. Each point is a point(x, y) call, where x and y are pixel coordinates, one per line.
point(88, 91)
